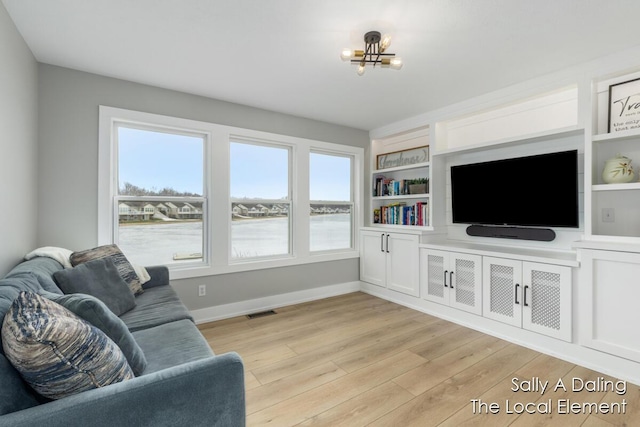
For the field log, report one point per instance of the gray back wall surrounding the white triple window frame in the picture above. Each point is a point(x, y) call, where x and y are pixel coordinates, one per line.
point(68, 182)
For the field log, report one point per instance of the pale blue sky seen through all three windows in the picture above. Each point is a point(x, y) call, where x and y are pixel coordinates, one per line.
point(155, 160)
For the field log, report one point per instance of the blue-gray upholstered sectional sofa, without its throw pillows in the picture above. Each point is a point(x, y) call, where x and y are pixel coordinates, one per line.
point(183, 384)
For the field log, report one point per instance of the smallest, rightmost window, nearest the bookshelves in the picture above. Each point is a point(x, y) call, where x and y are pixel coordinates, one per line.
point(331, 197)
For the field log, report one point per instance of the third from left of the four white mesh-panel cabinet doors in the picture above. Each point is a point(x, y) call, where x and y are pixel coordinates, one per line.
point(502, 290)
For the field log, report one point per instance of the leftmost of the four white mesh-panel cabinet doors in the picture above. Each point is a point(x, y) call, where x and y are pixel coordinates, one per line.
point(433, 268)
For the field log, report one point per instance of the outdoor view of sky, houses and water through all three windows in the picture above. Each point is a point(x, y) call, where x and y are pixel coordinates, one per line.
point(162, 209)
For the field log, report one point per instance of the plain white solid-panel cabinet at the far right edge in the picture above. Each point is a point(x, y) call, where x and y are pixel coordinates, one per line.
point(609, 295)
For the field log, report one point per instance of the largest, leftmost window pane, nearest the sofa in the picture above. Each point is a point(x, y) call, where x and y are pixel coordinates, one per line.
point(160, 195)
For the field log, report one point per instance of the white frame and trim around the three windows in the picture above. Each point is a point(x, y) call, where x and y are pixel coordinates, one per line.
point(217, 190)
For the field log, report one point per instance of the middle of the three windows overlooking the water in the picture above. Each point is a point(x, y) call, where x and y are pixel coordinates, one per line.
point(260, 201)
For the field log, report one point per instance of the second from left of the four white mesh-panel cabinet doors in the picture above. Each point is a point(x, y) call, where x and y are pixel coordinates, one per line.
point(465, 282)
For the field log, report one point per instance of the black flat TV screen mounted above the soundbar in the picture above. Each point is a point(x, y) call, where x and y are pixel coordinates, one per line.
point(533, 191)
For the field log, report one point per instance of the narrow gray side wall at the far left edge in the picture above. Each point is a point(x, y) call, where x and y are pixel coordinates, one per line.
point(18, 145)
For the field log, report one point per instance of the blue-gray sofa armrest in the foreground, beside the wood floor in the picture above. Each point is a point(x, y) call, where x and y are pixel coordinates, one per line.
point(206, 392)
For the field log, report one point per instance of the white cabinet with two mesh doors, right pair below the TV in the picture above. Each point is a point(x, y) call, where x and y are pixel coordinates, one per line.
point(533, 296)
